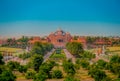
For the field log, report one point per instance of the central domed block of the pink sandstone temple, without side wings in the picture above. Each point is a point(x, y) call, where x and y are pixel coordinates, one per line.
point(59, 38)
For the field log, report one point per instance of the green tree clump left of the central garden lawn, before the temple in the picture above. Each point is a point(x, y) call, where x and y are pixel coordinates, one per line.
point(41, 48)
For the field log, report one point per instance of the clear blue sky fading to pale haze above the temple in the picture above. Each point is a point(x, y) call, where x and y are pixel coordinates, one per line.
point(40, 17)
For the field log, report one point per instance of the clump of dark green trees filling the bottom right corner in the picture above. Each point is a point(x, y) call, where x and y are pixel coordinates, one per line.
point(97, 70)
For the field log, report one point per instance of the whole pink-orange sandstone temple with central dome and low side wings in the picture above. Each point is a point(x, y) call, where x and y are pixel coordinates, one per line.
point(59, 39)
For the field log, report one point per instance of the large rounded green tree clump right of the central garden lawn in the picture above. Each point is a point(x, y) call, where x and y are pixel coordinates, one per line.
point(74, 48)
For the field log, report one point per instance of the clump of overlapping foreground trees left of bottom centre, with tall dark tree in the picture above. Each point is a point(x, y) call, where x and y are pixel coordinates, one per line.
point(42, 71)
